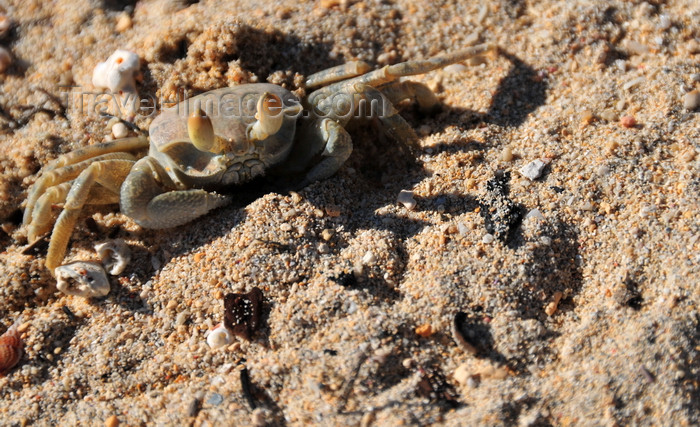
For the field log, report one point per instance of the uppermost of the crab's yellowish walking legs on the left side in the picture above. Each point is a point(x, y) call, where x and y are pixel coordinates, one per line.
point(51, 174)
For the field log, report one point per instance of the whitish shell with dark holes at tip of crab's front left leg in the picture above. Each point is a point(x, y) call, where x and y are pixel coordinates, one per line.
point(82, 278)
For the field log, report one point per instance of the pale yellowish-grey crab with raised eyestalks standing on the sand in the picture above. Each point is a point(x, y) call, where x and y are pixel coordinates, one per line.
point(226, 137)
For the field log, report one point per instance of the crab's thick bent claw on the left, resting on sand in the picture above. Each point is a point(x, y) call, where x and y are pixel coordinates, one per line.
point(149, 196)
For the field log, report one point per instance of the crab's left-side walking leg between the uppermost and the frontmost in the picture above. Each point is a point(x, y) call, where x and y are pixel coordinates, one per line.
point(43, 194)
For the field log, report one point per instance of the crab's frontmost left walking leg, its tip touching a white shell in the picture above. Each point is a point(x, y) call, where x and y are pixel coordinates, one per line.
point(107, 173)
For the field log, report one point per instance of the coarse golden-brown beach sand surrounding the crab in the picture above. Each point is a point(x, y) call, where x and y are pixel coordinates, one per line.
point(578, 290)
